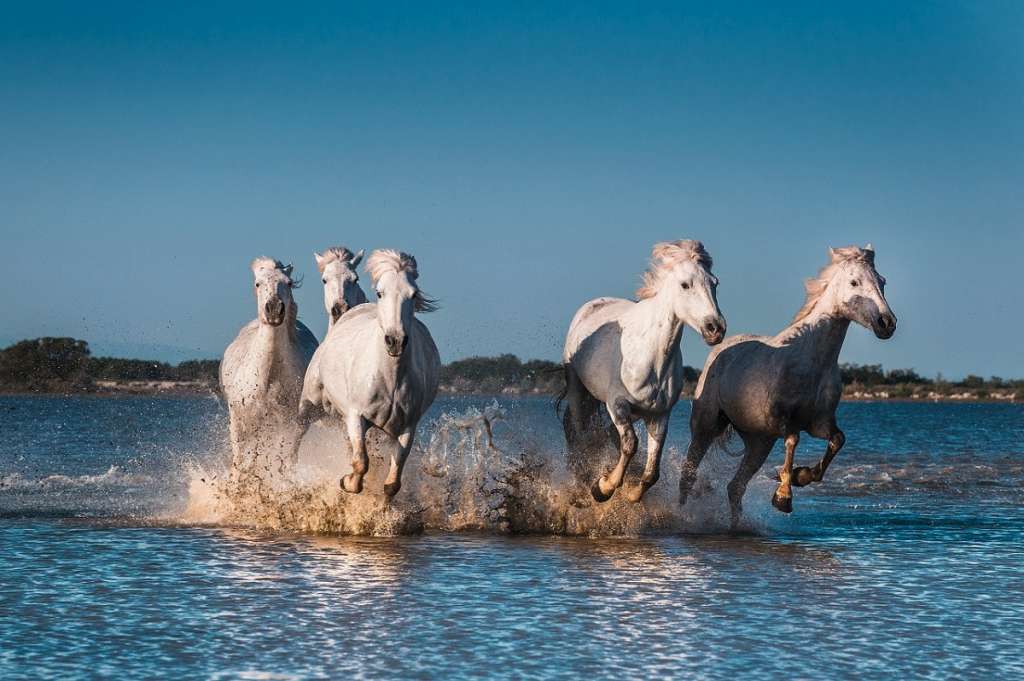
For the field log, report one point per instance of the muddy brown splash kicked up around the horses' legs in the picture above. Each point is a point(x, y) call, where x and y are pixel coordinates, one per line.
point(476, 471)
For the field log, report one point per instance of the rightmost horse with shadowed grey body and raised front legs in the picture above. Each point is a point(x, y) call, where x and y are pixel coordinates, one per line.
point(766, 389)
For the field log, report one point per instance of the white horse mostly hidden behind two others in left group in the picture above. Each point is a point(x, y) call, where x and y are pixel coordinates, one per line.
point(342, 293)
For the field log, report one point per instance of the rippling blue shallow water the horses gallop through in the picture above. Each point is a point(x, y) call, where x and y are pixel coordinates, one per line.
point(907, 563)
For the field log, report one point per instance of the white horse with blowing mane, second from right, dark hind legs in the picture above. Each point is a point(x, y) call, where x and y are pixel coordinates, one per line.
point(626, 356)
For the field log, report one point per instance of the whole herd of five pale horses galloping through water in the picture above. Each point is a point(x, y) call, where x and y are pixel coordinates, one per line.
point(379, 368)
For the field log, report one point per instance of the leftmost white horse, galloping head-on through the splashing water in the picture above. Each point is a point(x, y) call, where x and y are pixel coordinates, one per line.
point(263, 370)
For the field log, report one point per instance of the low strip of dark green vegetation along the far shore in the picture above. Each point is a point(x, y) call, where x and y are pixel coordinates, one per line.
point(67, 366)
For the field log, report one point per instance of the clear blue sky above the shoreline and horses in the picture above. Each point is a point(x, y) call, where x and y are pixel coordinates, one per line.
point(529, 156)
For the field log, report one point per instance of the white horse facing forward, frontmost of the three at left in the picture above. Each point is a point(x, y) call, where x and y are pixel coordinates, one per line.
point(393, 380)
